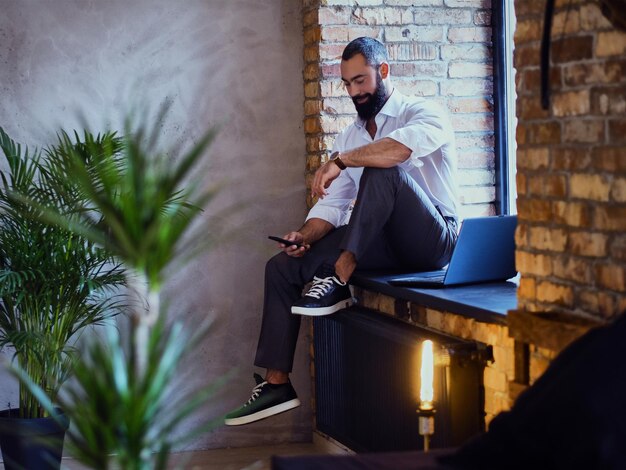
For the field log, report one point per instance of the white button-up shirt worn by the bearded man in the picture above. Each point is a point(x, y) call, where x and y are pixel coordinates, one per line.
point(420, 125)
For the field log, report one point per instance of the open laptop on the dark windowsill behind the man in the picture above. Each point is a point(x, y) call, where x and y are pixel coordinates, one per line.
point(484, 252)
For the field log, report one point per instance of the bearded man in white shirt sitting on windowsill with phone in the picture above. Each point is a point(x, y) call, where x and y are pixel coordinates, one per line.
point(386, 200)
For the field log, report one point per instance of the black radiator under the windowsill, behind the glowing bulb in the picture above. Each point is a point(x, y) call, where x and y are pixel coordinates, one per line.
point(367, 383)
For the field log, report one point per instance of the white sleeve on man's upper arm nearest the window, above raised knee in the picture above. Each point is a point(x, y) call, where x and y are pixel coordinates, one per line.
point(425, 129)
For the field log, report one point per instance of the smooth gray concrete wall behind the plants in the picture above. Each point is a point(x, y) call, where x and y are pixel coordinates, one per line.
point(233, 63)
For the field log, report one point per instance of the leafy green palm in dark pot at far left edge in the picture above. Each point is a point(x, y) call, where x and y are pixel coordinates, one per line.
point(53, 284)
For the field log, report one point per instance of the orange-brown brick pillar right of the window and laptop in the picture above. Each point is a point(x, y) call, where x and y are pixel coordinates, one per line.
point(571, 163)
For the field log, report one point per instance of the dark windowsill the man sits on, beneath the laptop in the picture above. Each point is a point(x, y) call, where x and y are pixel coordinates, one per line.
point(487, 302)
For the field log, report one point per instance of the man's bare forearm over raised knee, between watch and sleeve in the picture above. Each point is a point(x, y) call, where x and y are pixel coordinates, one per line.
point(384, 153)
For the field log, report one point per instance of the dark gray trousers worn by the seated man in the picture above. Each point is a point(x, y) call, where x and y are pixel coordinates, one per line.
point(394, 225)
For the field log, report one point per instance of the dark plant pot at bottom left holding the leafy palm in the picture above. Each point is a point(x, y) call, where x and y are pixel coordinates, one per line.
point(31, 444)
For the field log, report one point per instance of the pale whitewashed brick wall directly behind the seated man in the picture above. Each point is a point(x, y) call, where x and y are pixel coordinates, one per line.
point(439, 49)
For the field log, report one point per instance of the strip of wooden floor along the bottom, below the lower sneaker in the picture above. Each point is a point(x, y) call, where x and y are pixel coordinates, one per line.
point(249, 458)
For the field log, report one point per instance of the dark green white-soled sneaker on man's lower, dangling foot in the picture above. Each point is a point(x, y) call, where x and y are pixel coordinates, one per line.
point(266, 400)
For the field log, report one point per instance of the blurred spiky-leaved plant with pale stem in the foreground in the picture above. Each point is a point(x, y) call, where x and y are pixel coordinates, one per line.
point(120, 404)
